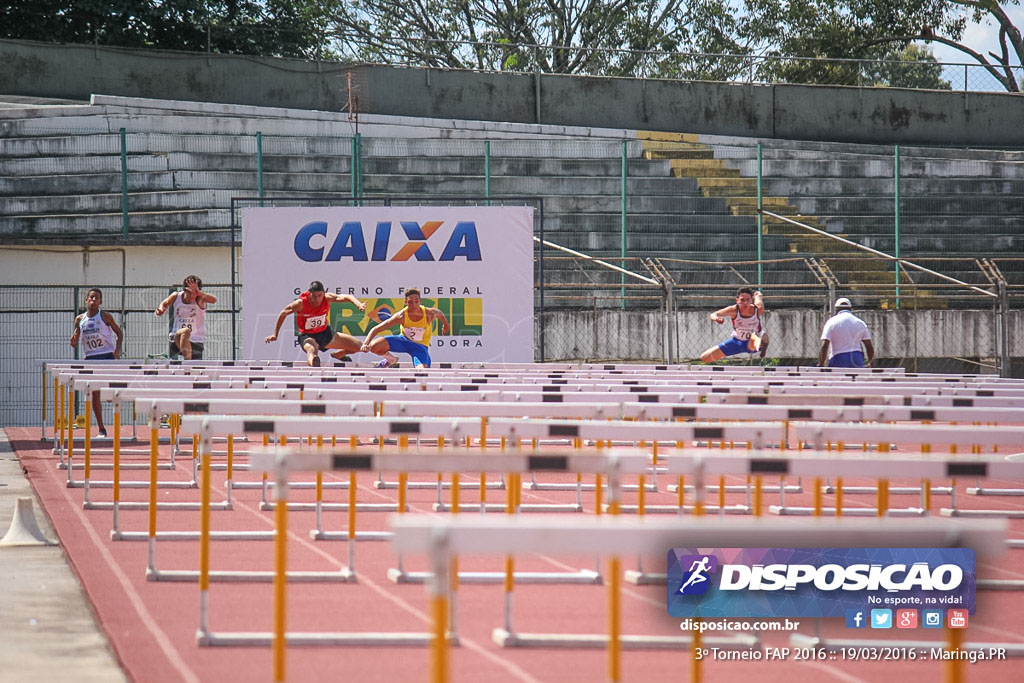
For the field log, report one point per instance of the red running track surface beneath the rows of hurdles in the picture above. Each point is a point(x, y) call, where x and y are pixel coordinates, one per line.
point(153, 626)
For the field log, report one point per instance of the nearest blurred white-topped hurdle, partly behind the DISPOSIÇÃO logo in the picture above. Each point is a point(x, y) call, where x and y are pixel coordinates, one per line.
point(445, 539)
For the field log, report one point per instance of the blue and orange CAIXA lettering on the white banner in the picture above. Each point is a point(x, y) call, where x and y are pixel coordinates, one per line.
point(314, 244)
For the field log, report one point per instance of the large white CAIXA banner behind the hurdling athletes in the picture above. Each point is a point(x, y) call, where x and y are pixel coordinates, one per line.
point(475, 264)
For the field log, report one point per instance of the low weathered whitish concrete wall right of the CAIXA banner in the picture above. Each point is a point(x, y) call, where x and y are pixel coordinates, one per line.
point(794, 334)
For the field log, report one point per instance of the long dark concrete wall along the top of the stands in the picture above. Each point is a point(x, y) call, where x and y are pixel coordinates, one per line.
point(791, 112)
